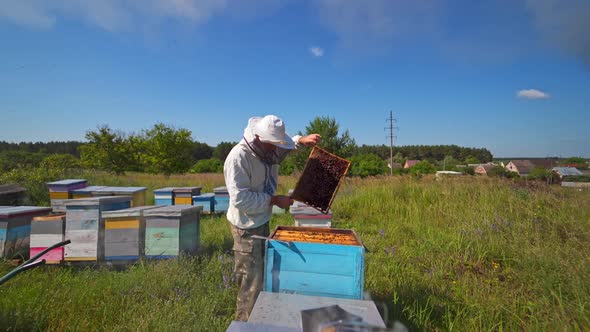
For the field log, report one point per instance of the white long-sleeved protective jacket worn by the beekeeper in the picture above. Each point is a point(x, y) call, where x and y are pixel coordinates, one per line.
point(245, 175)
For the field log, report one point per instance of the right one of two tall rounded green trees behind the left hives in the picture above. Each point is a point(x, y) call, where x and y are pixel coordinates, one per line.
point(166, 150)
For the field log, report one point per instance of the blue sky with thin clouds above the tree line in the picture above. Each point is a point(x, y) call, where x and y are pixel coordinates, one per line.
point(512, 76)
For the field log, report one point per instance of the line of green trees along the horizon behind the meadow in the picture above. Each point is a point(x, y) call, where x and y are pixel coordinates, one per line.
point(164, 149)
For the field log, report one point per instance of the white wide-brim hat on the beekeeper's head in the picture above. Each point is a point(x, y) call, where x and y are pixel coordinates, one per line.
point(270, 129)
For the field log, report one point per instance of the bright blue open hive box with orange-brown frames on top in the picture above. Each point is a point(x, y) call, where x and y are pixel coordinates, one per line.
point(315, 261)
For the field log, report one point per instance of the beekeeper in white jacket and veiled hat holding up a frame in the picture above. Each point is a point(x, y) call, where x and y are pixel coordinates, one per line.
point(251, 171)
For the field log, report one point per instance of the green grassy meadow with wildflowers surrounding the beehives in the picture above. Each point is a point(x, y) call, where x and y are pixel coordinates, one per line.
point(457, 255)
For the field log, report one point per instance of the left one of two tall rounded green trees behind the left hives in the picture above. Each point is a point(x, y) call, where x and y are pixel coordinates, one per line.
point(107, 150)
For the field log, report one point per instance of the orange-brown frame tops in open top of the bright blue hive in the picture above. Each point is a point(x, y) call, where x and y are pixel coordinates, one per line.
point(316, 235)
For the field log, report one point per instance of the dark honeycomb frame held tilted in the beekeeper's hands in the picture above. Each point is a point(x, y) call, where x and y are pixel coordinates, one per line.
point(320, 180)
